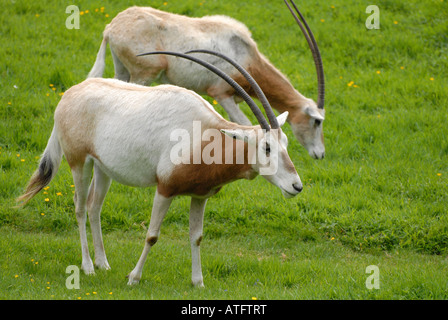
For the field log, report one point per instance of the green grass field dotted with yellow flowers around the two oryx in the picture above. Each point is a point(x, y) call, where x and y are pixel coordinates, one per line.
point(378, 198)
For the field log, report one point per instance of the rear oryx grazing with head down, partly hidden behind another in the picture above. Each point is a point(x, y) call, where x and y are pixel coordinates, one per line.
point(137, 30)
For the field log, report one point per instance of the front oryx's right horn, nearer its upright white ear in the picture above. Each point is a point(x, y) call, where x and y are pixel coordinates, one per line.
point(264, 101)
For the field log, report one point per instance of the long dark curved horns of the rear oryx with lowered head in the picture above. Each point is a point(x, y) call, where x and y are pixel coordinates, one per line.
point(316, 53)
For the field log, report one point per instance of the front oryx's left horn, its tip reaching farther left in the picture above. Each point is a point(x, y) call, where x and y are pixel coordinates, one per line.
point(253, 106)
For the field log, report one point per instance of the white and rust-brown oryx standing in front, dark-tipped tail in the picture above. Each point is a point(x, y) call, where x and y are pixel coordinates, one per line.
point(124, 132)
